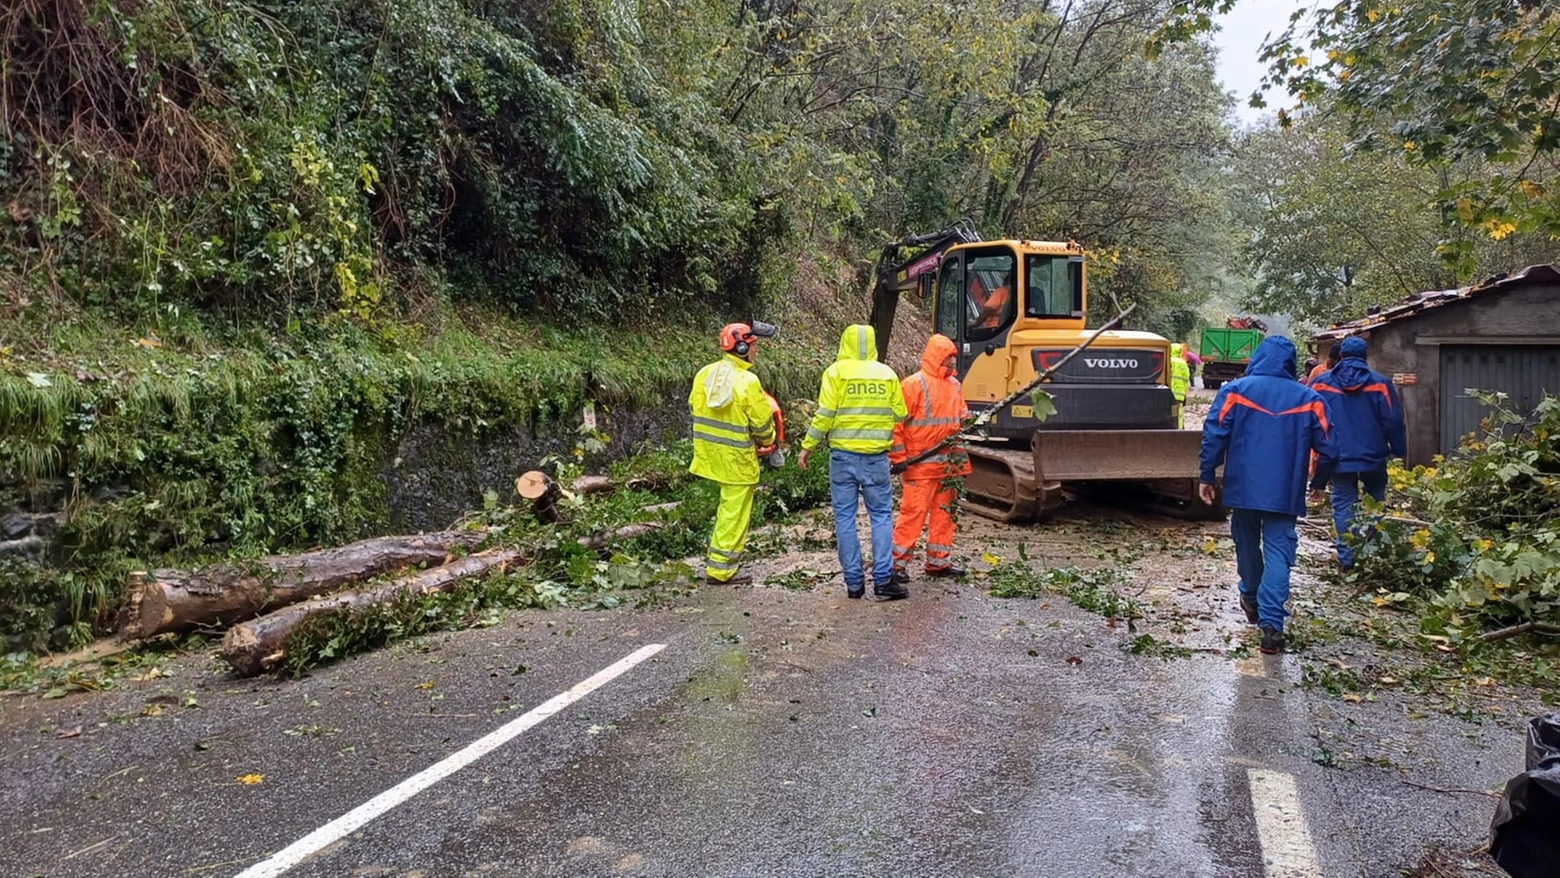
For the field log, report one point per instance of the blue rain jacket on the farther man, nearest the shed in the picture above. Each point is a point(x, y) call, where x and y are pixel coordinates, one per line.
point(1364, 412)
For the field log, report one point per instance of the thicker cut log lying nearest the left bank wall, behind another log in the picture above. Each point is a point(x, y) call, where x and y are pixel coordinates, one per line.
point(182, 601)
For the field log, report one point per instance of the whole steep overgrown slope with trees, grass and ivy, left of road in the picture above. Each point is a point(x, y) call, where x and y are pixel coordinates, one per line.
point(247, 247)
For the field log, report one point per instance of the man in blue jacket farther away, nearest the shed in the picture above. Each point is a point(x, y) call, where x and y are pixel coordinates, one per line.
point(1367, 422)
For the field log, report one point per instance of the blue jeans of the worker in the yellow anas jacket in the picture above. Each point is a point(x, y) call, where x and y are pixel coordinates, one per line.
point(856, 478)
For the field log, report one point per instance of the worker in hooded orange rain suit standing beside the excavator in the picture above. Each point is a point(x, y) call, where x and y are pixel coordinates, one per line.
point(937, 411)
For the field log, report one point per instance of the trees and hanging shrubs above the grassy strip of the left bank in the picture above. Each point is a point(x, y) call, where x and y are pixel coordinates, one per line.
point(589, 158)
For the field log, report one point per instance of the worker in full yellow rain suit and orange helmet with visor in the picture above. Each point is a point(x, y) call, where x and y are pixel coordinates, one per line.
point(731, 422)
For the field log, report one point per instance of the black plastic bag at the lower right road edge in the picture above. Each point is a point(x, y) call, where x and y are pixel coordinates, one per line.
point(1525, 838)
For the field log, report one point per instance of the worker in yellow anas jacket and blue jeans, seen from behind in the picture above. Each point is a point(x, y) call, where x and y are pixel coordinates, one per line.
point(859, 403)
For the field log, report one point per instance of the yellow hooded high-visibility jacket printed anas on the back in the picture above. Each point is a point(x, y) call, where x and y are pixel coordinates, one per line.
point(859, 402)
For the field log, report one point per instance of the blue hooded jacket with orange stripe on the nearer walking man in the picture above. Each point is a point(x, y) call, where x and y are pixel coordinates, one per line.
point(1263, 428)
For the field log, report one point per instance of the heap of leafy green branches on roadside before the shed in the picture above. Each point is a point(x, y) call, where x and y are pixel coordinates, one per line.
point(1481, 534)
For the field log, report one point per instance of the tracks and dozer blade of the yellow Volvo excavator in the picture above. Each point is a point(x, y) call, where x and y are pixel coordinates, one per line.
point(1155, 470)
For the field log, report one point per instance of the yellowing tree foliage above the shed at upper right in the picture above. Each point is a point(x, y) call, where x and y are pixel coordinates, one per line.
point(1447, 105)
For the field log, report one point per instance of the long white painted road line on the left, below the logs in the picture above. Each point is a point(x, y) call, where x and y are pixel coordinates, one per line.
point(358, 818)
